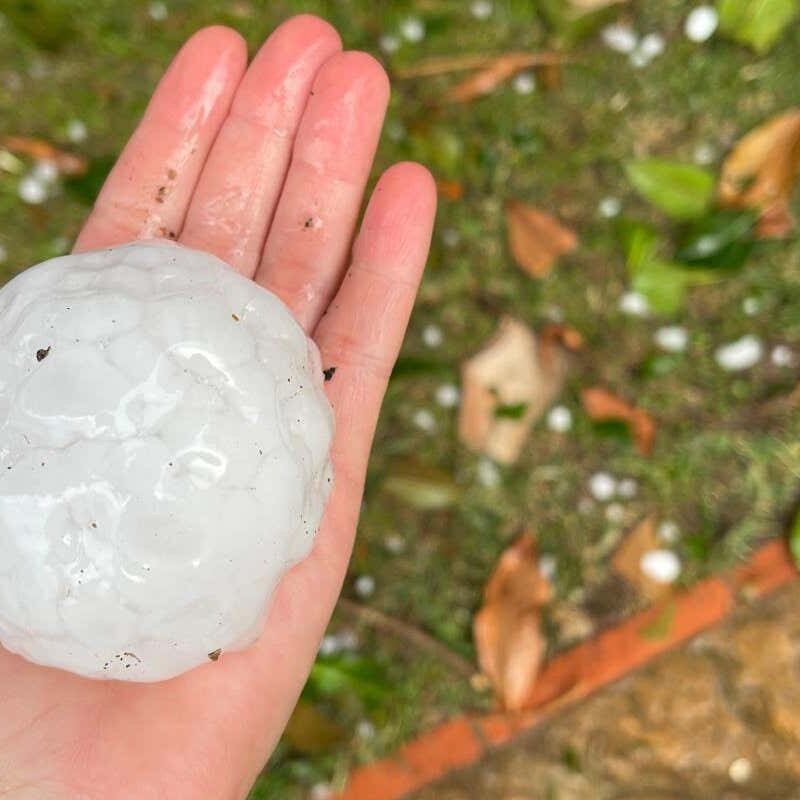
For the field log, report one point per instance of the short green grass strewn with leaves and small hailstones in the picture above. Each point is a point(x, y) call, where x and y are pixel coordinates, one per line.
point(725, 468)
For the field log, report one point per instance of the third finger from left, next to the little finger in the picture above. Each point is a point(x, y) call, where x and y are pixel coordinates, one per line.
point(308, 243)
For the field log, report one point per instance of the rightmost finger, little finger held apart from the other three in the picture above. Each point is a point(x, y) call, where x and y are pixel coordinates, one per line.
point(362, 330)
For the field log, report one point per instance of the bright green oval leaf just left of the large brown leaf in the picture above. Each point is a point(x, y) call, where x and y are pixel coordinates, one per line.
point(681, 190)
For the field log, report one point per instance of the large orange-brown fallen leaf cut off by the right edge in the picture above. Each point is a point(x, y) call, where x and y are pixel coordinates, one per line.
point(761, 170)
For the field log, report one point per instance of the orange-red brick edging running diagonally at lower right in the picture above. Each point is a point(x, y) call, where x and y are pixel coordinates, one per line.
point(572, 675)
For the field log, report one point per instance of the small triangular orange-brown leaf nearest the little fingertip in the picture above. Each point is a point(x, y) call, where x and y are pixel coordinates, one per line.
point(536, 238)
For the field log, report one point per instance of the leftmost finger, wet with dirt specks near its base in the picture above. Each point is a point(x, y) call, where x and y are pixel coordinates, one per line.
point(148, 190)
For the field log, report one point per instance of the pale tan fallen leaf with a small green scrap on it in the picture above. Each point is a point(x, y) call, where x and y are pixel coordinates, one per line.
point(510, 372)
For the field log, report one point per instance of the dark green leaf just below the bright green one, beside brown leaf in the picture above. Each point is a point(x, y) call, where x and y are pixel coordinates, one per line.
point(720, 240)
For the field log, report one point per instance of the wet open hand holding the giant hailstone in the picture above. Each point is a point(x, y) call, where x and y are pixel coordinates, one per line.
point(266, 168)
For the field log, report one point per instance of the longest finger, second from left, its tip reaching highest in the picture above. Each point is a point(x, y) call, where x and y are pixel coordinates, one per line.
point(240, 184)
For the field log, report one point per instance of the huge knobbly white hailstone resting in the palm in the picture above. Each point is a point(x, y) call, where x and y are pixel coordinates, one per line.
point(164, 444)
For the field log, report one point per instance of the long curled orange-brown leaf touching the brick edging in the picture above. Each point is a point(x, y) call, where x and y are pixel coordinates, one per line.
point(507, 628)
